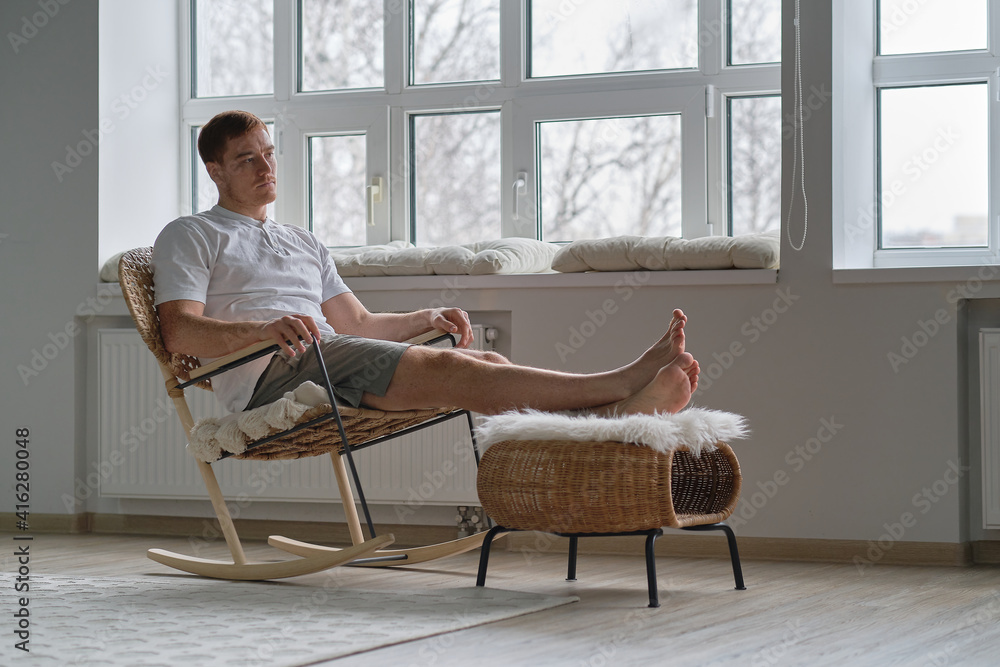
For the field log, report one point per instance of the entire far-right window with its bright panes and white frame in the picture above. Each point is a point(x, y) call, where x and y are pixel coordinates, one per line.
point(914, 153)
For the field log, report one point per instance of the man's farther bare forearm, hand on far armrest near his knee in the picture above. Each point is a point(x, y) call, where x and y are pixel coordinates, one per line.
point(347, 315)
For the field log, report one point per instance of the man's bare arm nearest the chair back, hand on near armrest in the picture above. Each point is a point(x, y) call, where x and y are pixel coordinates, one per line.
point(186, 330)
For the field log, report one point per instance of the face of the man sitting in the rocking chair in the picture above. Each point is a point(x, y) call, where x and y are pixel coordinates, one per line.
point(246, 176)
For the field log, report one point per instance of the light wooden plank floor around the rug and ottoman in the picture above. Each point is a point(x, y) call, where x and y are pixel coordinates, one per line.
point(791, 614)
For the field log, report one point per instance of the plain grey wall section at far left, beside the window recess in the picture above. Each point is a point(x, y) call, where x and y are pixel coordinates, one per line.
point(49, 248)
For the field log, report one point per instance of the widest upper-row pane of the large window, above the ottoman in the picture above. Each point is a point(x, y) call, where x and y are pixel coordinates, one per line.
point(592, 37)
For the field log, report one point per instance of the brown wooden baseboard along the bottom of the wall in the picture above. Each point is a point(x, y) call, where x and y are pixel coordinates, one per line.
point(862, 553)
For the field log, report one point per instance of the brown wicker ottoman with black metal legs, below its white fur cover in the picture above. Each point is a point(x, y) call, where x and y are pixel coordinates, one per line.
point(580, 489)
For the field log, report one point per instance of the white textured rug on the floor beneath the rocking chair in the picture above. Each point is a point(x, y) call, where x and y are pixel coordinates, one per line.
point(171, 621)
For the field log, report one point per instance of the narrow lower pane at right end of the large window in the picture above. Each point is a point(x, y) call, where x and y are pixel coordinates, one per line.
point(754, 164)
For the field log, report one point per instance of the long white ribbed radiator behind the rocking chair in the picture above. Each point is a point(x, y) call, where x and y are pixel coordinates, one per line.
point(142, 447)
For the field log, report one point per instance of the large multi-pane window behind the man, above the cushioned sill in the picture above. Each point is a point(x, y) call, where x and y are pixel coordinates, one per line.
point(473, 119)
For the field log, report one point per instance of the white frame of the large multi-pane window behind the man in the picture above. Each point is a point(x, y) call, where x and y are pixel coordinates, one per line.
point(699, 95)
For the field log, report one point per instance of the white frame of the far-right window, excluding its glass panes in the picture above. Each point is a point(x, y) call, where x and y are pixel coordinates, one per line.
point(858, 74)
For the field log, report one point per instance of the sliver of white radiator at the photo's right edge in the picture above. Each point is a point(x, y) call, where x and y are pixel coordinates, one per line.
point(989, 378)
